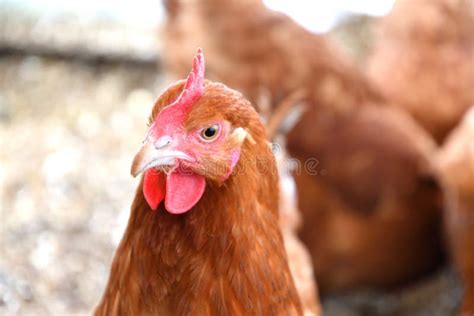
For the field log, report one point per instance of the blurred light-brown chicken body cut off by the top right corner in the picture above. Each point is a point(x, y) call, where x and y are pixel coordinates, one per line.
point(424, 62)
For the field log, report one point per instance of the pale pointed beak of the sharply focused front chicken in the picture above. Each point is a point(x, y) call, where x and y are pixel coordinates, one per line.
point(150, 157)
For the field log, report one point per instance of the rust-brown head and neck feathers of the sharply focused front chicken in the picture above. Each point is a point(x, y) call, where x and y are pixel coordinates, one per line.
point(225, 256)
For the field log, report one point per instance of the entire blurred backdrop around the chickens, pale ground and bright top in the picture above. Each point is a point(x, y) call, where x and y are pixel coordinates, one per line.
point(77, 82)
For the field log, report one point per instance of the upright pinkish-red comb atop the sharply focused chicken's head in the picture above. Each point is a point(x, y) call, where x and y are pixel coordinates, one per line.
point(194, 86)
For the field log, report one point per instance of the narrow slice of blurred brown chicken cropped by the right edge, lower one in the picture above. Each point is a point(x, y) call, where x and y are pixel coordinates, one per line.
point(456, 164)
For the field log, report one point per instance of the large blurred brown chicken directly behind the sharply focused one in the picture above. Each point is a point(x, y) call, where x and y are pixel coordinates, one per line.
point(369, 198)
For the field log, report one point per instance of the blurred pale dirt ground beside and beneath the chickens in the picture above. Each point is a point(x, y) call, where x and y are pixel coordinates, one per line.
point(68, 133)
